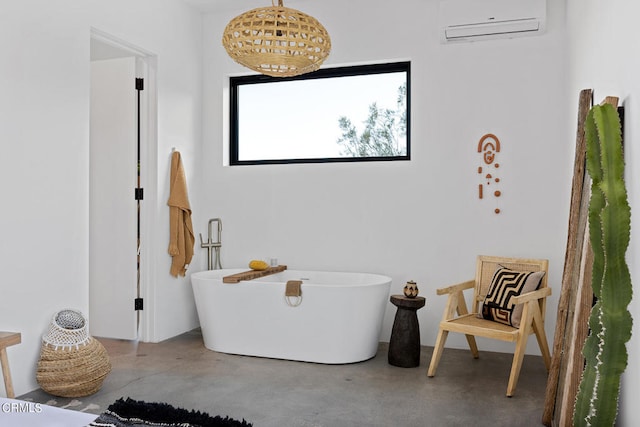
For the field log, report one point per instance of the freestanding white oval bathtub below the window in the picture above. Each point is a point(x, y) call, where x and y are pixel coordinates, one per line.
point(338, 319)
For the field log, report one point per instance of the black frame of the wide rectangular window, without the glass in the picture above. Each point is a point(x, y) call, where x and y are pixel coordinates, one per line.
point(237, 81)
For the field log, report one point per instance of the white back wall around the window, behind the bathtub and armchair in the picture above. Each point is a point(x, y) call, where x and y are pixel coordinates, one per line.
point(421, 219)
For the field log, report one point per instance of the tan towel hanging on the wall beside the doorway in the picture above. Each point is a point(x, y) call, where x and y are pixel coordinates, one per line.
point(181, 239)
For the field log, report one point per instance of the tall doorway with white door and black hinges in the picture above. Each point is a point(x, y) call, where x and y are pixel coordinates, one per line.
point(121, 165)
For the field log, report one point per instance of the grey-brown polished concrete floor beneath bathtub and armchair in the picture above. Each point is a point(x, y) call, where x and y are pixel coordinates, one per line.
point(277, 393)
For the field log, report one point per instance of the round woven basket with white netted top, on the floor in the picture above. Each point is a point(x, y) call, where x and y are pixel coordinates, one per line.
point(72, 363)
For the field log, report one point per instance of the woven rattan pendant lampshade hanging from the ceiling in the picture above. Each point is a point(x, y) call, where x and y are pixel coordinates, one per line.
point(277, 41)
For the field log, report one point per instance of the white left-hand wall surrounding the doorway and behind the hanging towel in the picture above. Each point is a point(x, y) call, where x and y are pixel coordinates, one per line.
point(44, 111)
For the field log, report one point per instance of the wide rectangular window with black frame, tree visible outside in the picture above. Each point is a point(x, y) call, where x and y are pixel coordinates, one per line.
point(359, 113)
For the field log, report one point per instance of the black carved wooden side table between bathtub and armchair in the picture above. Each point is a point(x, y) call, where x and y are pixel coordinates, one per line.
point(404, 345)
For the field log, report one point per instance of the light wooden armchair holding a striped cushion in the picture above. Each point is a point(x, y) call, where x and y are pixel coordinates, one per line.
point(457, 318)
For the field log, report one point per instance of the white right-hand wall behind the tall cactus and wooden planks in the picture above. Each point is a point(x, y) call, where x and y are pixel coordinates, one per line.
point(604, 56)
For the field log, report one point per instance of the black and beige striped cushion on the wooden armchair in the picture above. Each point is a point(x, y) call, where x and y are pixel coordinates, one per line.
point(506, 284)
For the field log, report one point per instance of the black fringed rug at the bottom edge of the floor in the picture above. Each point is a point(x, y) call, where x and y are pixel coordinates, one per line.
point(134, 413)
